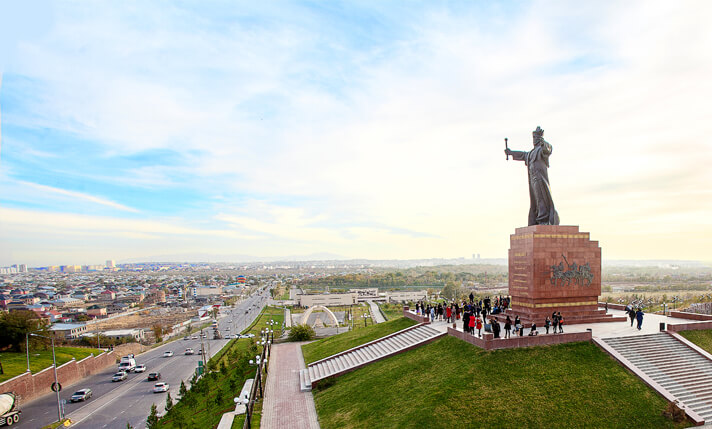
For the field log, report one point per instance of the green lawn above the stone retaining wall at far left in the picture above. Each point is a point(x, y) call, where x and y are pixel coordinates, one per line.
point(14, 364)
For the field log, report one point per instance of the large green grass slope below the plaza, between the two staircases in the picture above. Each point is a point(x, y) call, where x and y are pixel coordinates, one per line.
point(450, 383)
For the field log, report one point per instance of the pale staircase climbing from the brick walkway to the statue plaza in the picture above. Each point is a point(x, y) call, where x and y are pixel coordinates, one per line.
point(364, 354)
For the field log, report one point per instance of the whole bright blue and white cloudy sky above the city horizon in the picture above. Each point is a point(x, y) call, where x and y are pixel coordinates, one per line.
point(136, 130)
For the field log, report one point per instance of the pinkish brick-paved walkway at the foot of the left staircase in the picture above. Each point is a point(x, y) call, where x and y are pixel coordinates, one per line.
point(285, 406)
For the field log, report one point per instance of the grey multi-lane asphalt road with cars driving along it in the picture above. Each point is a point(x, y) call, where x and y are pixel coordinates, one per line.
point(114, 404)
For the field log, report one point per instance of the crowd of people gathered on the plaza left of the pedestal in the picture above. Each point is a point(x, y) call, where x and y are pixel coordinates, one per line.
point(476, 315)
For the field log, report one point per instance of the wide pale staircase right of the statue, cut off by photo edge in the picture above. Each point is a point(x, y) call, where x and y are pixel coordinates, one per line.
point(679, 369)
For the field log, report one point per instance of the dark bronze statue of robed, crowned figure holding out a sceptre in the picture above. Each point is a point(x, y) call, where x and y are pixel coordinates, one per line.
point(541, 208)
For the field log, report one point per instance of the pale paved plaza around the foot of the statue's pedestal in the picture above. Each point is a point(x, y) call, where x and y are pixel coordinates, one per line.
point(651, 325)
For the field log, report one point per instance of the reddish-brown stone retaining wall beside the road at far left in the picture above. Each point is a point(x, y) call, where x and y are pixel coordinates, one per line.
point(29, 386)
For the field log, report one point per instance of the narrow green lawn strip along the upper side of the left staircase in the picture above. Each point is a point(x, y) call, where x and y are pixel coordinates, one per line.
point(328, 346)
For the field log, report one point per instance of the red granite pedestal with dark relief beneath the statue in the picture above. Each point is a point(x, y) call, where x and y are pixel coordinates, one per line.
point(555, 268)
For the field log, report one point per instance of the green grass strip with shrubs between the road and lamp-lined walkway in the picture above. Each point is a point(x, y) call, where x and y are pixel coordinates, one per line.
point(212, 395)
